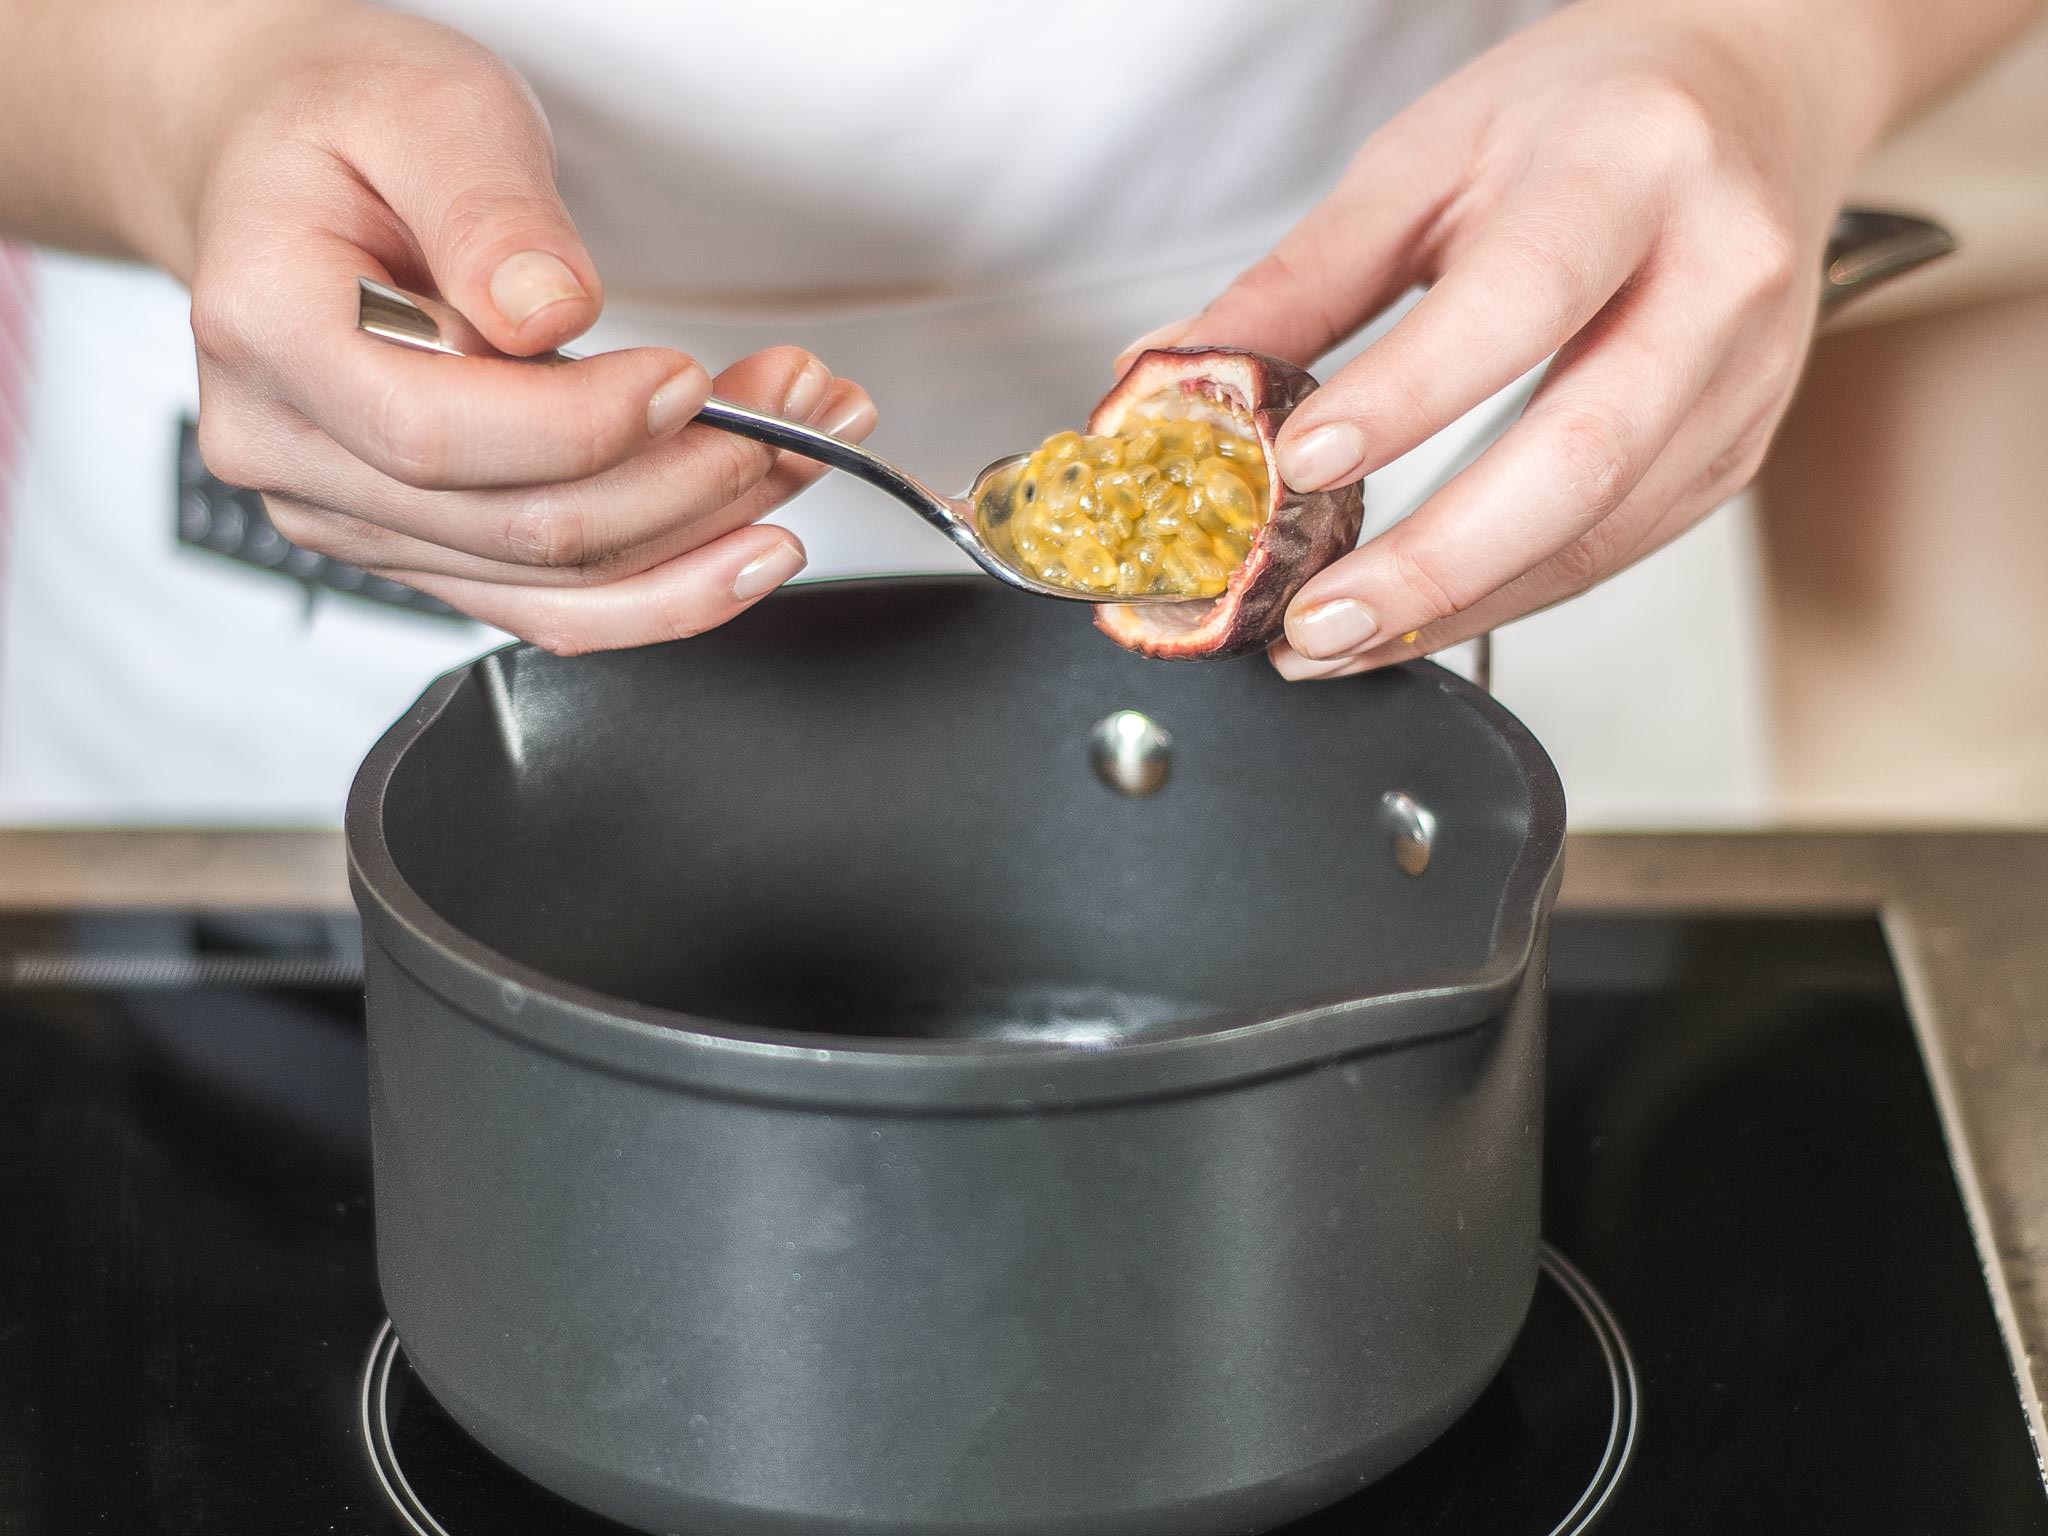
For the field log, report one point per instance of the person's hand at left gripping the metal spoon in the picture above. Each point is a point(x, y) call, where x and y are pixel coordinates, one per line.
point(572, 505)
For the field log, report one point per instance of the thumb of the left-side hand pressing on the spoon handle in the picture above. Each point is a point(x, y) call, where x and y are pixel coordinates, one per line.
point(478, 194)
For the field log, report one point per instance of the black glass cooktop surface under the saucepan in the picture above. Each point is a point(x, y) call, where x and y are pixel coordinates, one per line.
point(1760, 1306)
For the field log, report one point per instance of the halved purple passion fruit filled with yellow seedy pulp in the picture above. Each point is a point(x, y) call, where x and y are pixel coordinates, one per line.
point(1175, 490)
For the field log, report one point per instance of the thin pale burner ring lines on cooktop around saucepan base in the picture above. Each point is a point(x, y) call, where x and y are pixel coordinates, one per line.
point(1623, 1422)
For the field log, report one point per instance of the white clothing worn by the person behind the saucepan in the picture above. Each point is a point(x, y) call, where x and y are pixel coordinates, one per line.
point(968, 224)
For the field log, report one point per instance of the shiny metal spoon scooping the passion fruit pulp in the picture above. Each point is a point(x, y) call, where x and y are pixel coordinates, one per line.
point(431, 327)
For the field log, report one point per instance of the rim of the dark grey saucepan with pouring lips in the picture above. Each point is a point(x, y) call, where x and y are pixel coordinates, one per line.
point(712, 1056)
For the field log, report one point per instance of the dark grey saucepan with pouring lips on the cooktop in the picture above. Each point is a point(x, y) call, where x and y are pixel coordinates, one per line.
point(810, 1099)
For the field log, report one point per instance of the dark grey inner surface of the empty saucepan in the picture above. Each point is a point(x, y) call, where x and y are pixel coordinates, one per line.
point(869, 812)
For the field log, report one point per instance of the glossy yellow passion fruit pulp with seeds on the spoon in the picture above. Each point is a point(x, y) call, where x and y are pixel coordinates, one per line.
point(1166, 505)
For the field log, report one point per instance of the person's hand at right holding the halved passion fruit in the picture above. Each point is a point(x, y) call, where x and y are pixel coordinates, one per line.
point(1644, 189)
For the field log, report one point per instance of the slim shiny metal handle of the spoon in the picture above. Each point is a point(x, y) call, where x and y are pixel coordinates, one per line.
point(431, 327)
